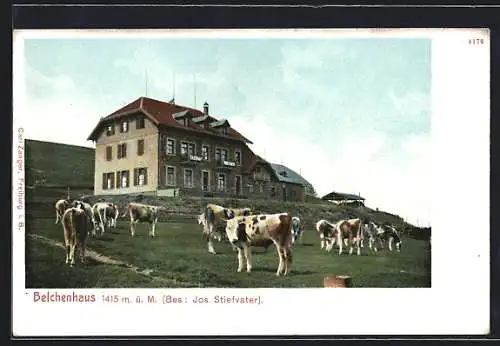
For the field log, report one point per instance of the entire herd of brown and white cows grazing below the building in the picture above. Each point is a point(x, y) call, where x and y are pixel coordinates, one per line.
point(242, 228)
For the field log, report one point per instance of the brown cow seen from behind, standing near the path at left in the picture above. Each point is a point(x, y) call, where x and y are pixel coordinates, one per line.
point(75, 226)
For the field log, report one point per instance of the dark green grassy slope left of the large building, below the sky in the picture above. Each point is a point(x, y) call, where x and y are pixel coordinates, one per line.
point(58, 165)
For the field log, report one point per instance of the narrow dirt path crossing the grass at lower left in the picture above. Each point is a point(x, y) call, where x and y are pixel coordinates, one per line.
point(108, 260)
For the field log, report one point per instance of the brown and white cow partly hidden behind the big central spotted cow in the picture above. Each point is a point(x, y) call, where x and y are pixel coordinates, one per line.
point(213, 220)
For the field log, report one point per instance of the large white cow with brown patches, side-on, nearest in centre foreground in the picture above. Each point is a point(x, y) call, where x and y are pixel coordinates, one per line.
point(242, 231)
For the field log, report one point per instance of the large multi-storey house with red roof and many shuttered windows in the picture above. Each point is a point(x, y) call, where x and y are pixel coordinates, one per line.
point(160, 148)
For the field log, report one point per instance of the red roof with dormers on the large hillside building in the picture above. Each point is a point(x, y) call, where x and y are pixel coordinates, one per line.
point(161, 114)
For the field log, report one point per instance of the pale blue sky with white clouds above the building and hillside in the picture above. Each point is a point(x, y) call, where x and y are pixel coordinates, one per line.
point(349, 114)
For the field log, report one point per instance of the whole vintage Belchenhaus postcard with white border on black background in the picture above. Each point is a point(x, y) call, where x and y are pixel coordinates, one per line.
point(190, 182)
